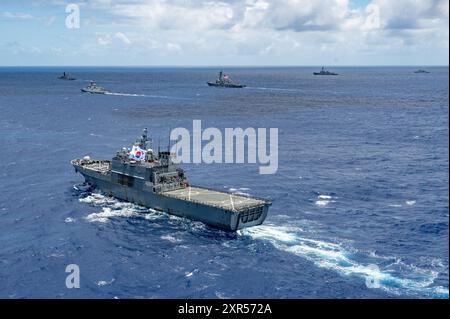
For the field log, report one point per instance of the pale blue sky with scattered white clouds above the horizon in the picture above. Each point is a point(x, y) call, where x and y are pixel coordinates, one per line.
point(228, 32)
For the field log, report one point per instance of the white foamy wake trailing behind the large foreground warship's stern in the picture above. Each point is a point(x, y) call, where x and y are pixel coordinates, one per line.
point(333, 256)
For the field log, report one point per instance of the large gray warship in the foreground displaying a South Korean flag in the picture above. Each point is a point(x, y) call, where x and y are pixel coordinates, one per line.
point(152, 180)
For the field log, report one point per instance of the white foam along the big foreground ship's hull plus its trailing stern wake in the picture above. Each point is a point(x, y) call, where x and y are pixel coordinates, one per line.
point(390, 274)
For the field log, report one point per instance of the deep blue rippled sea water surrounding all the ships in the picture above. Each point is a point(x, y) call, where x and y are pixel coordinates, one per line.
point(361, 191)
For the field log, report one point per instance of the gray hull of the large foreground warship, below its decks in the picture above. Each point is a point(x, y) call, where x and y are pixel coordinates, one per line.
point(217, 217)
